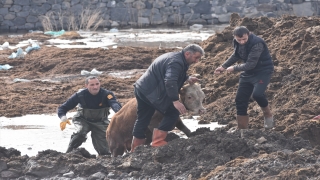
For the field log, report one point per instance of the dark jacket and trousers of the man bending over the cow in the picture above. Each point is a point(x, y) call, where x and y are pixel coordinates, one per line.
point(157, 88)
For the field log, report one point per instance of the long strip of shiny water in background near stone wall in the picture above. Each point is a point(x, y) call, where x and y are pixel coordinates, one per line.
point(152, 37)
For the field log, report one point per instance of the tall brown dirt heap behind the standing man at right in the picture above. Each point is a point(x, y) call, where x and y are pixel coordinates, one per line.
point(294, 89)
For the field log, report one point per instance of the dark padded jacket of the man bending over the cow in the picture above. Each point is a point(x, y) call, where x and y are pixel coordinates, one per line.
point(161, 83)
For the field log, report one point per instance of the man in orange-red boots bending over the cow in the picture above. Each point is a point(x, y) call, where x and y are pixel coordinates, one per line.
point(158, 89)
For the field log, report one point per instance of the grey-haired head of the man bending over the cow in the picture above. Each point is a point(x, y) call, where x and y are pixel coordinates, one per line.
point(193, 53)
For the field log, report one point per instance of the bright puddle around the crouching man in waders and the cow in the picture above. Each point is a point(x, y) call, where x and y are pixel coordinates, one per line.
point(33, 133)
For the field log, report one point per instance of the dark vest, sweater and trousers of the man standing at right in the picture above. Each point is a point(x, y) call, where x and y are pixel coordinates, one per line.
point(257, 70)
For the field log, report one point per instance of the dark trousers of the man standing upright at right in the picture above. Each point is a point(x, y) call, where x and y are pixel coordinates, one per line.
point(255, 85)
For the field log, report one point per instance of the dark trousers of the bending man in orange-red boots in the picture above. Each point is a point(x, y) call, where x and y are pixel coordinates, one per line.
point(145, 111)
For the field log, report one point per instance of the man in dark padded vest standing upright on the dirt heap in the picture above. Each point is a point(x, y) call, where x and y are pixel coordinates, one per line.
point(257, 70)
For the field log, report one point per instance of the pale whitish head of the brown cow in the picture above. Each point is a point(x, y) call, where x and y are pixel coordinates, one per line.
point(192, 97)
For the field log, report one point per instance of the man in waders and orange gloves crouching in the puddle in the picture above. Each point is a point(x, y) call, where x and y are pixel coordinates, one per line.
point(92, 115)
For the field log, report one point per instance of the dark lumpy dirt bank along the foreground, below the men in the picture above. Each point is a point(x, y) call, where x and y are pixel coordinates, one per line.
point(257, 154)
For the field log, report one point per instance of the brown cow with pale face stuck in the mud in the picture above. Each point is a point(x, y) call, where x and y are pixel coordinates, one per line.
point(119, 132)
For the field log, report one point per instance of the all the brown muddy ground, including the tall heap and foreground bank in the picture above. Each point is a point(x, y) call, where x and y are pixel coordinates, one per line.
point(289, 151)
